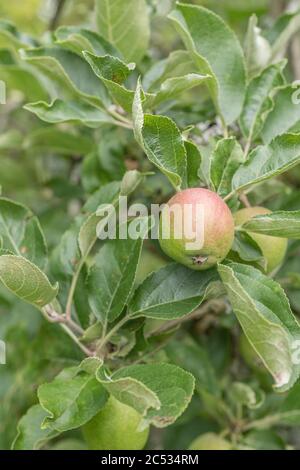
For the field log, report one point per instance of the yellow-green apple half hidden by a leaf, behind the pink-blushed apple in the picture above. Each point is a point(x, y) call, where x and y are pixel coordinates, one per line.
point(273, 248)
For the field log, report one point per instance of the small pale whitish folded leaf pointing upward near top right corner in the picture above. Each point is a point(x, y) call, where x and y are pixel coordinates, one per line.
point(257, 48)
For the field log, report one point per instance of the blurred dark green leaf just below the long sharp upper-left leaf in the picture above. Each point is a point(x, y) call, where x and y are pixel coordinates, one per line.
point(58, 141)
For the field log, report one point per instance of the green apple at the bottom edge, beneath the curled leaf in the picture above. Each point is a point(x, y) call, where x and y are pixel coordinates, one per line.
point(115, 427)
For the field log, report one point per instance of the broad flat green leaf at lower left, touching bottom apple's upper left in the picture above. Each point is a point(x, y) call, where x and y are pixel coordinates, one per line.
point(71, 399)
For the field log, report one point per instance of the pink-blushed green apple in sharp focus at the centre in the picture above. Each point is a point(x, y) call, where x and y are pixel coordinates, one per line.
point(206, 213)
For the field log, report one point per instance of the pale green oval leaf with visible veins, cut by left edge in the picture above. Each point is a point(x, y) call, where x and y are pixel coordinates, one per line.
point(26, 280)
